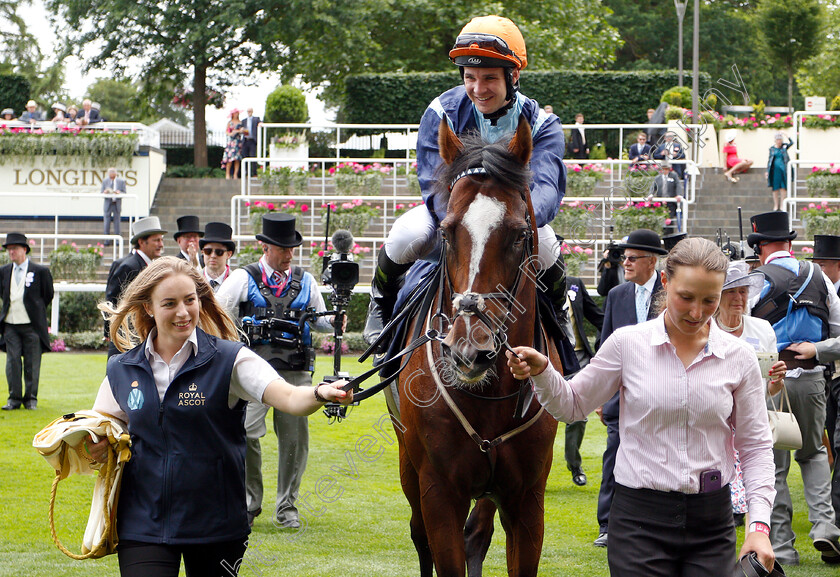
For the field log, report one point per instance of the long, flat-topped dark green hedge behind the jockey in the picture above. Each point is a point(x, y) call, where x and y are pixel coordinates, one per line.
point(603, 97)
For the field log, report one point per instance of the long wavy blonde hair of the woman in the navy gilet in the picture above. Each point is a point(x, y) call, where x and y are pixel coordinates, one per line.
point(131, 324)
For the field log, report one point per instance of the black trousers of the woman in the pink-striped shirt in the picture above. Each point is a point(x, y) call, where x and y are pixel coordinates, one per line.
point(659, 534)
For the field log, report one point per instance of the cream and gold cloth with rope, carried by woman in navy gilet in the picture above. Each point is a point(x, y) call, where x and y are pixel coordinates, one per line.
point(61, 443)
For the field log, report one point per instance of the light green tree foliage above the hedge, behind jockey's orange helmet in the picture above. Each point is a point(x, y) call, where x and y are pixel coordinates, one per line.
point(326, 41)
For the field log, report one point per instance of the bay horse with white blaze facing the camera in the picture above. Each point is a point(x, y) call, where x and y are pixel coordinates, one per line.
point(459, 439)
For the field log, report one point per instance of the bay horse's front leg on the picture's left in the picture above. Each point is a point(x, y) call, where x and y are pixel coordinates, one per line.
point(444, 514)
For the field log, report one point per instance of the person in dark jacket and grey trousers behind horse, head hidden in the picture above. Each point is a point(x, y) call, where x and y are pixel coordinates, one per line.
point(580, 307)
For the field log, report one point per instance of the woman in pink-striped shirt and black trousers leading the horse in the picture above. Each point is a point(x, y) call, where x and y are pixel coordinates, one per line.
point(683, 383)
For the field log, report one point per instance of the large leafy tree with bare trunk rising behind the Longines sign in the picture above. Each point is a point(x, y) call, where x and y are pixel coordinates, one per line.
point(184, 43)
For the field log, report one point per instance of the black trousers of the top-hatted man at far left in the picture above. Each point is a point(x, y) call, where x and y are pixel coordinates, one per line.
point(23, 356)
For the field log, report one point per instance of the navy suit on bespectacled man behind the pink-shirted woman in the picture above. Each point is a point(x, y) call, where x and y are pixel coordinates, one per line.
point(619, 311)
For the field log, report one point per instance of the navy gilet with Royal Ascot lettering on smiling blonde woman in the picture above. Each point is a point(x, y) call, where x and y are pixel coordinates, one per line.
point(185, 482)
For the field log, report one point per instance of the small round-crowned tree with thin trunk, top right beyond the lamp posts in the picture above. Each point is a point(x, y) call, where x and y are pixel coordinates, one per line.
point(791, 32)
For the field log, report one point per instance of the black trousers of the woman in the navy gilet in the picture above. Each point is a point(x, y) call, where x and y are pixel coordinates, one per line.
point(206, 560)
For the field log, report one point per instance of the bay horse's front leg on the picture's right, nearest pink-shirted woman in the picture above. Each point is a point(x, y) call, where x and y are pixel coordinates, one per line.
point(524, 525)
